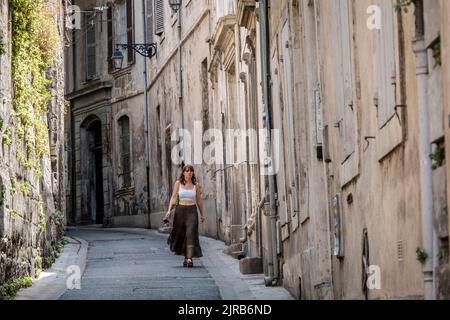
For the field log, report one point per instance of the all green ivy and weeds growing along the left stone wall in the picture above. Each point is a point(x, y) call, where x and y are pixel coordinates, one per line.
point(35, 42)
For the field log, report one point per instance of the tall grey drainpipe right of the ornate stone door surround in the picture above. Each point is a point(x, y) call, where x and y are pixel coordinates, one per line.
point(273, 272)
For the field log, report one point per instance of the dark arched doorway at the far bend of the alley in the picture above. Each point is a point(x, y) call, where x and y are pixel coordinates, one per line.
point(92, 211)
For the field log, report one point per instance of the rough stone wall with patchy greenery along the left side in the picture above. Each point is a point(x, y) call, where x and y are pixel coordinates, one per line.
point(32, 188)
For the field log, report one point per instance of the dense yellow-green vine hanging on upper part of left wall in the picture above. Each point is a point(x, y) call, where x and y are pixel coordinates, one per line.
point(34, 45)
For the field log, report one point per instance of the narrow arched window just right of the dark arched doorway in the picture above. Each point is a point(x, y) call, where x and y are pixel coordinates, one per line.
point(125, 152)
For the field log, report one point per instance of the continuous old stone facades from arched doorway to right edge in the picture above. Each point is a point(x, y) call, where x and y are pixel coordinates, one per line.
point(354, 95)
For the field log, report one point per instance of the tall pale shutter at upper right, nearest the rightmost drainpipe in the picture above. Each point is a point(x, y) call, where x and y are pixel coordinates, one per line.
point(385, 64)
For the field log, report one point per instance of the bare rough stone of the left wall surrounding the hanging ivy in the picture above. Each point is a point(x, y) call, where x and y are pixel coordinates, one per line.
point(32, 205)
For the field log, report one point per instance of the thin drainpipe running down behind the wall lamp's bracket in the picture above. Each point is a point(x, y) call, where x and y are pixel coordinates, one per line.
point(146, 120)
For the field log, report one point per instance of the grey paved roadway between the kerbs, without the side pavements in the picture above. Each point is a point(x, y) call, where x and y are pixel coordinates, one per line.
point(122, 265)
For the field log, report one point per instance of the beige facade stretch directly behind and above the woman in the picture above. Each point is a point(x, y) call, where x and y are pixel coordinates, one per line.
point(179, 98)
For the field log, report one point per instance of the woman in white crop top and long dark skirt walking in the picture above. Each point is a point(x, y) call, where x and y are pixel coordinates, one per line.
point(183, 239)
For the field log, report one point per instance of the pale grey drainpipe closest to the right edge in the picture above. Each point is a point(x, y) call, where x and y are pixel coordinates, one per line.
point(420, 51)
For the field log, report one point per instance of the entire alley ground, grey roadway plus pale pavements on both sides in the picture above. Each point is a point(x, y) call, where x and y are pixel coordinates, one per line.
point(136, 264)
